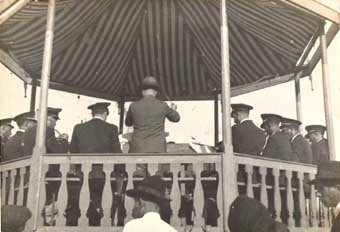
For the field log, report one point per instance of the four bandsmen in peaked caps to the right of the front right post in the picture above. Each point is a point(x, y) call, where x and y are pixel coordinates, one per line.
point(280, 138)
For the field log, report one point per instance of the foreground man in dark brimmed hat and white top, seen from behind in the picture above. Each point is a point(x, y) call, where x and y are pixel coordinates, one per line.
point(149, 198)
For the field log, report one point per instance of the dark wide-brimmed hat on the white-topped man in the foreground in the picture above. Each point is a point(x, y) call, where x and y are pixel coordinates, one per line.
point(151, 188)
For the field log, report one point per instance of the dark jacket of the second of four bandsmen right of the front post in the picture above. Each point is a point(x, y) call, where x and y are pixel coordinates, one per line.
point(278, 147)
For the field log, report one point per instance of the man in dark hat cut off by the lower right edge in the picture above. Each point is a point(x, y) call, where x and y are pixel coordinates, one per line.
point(327, 182)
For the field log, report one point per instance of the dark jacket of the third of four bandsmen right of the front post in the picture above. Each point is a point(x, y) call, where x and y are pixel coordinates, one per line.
point(302, 149)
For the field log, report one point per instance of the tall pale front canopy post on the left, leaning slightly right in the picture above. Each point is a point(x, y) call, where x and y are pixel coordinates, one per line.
point(40, 149)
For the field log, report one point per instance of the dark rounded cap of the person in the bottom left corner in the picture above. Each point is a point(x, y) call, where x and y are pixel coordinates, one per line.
point(14, 218)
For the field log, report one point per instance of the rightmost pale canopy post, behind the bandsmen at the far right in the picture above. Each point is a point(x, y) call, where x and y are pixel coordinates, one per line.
point(327, 91)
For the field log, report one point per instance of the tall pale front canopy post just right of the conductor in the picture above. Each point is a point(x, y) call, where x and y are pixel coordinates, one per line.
point(229, 186)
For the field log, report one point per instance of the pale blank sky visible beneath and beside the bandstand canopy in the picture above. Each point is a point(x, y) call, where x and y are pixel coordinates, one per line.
point(196, 117)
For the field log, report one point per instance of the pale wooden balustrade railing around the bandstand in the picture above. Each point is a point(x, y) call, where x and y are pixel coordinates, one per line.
point(281, 186)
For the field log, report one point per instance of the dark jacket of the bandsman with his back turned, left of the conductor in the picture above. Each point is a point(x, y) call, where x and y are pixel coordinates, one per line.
point(95, 136)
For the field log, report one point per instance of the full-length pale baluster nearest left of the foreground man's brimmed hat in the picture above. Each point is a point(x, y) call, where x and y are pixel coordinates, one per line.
point(107, 195)
